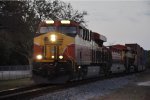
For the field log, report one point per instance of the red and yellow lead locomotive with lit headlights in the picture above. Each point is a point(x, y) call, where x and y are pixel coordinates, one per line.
point(67, 49)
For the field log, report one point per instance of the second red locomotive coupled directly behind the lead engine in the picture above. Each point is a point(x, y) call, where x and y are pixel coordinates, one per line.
point(123, 59)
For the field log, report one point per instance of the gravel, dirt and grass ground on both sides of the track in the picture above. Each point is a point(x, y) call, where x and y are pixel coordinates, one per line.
point(130, 87)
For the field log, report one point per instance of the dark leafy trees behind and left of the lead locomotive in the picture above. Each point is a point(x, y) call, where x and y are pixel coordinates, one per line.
point(23, 17)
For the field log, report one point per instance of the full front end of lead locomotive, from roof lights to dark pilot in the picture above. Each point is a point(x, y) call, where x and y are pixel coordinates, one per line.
point(54, 48)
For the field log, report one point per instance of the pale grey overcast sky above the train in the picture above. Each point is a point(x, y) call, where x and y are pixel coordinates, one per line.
point(121, 21)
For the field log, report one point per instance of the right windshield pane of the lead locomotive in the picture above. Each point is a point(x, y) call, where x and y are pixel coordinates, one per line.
point(71, 31)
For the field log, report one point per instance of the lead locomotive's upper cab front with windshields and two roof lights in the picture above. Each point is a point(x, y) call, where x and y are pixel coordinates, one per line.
point(65, 27)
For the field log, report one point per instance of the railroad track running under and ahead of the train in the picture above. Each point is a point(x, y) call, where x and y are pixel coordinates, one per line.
point(29, 92)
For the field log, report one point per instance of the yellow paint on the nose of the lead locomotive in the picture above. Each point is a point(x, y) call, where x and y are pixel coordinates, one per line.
point(62, 41)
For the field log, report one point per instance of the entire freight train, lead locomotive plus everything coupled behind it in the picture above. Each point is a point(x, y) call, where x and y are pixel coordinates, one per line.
point(67, 49)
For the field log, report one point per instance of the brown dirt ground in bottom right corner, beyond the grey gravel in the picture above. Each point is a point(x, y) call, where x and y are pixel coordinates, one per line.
point(139, 89)
